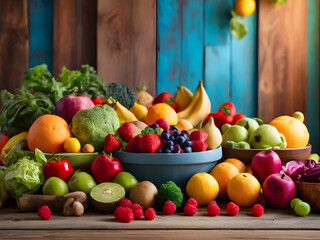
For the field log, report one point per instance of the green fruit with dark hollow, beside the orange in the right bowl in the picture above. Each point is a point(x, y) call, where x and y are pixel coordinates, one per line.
point(267, 137)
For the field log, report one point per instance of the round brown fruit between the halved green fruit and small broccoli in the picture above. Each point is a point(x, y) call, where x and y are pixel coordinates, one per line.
point(144, 193)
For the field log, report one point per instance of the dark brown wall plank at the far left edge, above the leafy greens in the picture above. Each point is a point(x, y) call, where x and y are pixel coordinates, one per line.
point(14, 43)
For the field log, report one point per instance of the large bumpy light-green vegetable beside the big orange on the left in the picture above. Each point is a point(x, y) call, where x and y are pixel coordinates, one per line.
point(94, 124)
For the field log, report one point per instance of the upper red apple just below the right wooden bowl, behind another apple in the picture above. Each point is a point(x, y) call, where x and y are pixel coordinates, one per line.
point(265, 163)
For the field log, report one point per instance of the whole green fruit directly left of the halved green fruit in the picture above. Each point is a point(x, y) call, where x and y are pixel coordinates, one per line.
point(81, 181)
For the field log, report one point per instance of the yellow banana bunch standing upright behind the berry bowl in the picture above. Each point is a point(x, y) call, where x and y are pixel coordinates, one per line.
point(199, 107)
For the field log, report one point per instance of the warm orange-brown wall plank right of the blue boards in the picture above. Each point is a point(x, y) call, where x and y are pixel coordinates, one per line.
point(282, 61)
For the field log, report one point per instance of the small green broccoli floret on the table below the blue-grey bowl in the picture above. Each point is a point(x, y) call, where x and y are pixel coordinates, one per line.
point(170, 191)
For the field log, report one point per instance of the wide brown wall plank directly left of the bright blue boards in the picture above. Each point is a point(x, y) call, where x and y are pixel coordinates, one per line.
point(127, 42)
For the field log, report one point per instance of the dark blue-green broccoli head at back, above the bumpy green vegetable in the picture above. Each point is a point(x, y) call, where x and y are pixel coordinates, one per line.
point(122, 93)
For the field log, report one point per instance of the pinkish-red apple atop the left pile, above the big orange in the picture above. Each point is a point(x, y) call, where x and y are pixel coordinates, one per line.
point(69, 105)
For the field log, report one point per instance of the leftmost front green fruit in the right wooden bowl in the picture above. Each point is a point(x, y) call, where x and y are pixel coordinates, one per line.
point(234, 133)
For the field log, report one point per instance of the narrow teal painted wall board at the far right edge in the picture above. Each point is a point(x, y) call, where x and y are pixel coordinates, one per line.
point(313, 74)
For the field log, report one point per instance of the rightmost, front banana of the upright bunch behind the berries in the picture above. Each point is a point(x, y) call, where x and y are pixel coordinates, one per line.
point(202, 107)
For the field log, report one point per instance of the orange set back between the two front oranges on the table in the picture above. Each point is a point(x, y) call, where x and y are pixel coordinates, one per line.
point(223, 173)
